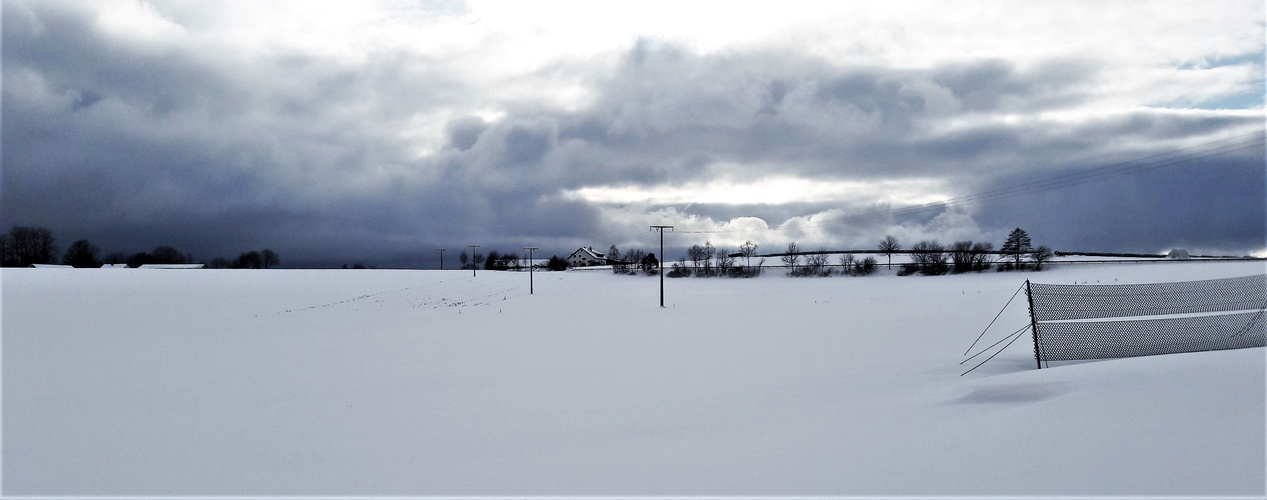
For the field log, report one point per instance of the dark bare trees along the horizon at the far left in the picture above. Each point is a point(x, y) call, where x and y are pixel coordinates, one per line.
point(27, 246)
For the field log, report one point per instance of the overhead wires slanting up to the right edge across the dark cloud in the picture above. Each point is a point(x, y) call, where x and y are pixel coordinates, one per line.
point(1254, 140)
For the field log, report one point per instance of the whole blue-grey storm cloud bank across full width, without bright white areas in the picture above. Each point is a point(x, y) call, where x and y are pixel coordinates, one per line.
point(186, 144)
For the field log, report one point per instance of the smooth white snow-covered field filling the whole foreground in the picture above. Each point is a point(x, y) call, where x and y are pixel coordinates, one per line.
point(436, 383)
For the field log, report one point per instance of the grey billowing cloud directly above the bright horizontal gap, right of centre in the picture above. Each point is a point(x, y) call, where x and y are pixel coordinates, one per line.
point(817, 118)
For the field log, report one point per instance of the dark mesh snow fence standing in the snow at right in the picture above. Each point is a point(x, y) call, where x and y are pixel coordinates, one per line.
point(1149, 318)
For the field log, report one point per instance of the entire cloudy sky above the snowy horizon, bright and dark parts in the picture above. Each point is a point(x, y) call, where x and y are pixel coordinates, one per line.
point(377, 132)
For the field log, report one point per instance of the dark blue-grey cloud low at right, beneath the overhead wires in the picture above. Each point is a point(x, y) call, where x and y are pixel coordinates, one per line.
point(1213, 204)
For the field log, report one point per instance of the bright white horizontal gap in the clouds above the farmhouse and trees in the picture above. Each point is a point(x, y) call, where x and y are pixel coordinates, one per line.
point(771, 192)
